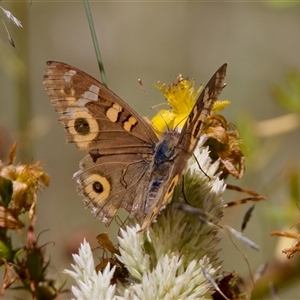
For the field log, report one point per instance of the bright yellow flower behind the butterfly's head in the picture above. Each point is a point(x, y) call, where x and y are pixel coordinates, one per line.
point(181, 97)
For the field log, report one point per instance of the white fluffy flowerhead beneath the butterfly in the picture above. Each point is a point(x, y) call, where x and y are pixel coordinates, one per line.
point(166, 261)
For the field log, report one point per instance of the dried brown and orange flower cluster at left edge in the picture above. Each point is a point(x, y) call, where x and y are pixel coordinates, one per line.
point(25, 266)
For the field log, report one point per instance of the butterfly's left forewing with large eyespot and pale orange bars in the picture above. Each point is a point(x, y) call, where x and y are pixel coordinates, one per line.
point(93, 116)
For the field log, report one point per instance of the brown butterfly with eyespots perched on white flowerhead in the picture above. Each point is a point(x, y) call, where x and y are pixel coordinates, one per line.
point(127, 166)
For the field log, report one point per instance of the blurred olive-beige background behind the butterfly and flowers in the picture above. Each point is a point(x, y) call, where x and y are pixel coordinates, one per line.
point(154, 41)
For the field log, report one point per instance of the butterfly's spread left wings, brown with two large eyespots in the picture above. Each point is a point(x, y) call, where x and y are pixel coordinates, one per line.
point(120, 142)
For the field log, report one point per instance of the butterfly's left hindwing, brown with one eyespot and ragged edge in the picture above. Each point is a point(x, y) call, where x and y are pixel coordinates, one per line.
point(112, 184)
